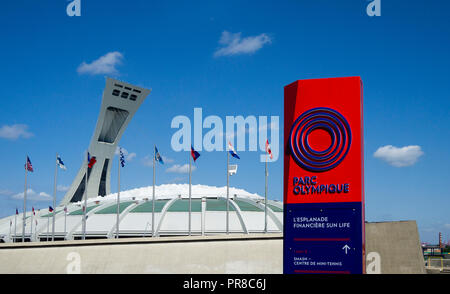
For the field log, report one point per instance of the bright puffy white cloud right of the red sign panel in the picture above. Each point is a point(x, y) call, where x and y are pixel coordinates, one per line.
point(399, 157)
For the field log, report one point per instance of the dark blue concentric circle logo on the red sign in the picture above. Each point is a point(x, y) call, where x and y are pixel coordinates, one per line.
point(327, 121)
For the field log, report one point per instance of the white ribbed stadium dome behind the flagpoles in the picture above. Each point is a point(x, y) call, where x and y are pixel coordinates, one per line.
point(246, 215)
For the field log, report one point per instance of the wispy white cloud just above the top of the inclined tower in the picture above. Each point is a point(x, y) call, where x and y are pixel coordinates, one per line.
point(104, 65)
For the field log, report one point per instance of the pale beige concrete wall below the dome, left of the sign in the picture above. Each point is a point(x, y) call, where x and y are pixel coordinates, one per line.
point(216, 255)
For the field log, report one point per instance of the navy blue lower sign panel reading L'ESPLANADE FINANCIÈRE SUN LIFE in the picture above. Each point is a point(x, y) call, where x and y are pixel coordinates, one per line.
point(323, 238)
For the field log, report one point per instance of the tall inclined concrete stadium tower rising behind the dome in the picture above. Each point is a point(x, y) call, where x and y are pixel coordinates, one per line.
point(119, 104)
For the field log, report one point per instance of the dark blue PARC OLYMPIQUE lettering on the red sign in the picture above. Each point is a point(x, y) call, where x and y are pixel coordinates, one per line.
point(309, 186)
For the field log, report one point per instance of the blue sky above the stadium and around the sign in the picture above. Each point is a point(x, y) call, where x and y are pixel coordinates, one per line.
point(49, 105)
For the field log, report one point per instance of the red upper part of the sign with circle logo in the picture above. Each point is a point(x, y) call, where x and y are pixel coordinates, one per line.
point(323, 141)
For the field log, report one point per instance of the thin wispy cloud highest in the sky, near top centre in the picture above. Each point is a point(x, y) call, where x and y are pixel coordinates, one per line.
point(233, 44)
